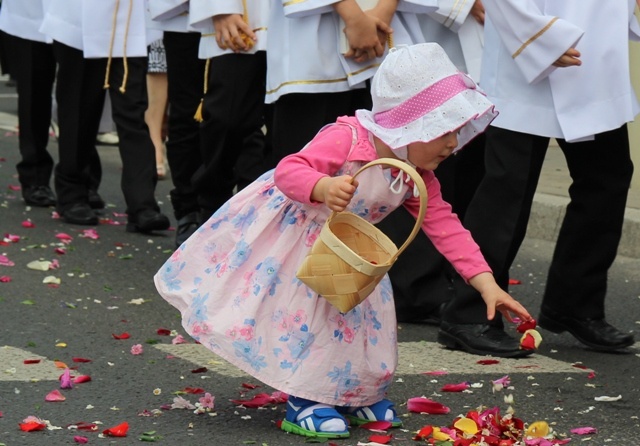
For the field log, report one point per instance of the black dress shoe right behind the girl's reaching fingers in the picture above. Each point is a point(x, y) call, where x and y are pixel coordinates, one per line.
point(480, 339)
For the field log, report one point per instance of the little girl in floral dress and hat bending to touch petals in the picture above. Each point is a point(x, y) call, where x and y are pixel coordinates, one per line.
point(234, 280)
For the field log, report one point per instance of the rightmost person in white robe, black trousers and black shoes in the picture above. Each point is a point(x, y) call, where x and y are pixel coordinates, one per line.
point(554, 70)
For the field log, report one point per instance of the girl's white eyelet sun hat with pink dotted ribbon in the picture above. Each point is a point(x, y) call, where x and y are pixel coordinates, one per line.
point(419, 95)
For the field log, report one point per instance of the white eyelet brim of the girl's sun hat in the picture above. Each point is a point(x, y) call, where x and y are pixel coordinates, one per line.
point(469, 111)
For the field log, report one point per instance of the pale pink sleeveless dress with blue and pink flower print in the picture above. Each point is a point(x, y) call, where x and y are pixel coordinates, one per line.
point(234, 282)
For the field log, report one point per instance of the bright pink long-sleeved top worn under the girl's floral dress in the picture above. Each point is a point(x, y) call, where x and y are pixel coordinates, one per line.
point(297, 174)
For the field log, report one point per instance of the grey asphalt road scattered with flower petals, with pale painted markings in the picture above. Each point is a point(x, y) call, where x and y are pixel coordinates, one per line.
point(106, 291)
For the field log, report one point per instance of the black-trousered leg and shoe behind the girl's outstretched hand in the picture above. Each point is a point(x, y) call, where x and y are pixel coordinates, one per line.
point(497, 218)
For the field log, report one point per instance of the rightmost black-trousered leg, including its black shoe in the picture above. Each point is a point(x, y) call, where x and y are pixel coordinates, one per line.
point(587, 244)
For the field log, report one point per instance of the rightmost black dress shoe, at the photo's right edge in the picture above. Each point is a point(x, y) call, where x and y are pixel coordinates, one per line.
point(594, 333)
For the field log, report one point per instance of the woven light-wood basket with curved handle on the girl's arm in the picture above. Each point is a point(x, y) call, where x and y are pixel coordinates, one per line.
point(351, 256)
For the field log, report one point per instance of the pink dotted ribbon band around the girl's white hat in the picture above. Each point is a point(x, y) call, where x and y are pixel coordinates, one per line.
point(424, 102)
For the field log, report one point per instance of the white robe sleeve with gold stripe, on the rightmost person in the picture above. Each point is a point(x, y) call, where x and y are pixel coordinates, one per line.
point(534, 40)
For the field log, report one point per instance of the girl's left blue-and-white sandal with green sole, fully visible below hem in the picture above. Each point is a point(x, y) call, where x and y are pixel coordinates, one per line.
point(305, 417)
